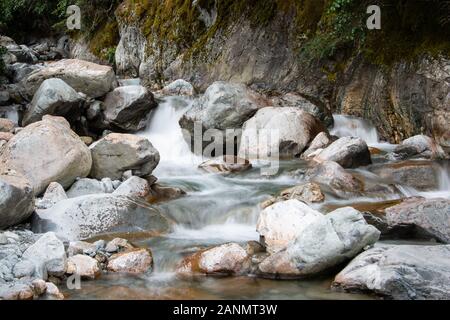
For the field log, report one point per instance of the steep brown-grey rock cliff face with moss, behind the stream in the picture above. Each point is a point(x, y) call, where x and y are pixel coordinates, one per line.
point(268, 45)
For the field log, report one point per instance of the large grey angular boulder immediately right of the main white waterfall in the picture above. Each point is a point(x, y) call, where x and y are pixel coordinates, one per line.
point(223, 106)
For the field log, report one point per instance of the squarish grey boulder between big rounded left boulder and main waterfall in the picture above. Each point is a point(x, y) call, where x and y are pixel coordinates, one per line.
point(117, 153)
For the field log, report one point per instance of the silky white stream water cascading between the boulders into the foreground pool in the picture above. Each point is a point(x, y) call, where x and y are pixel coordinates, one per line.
point(219, 209)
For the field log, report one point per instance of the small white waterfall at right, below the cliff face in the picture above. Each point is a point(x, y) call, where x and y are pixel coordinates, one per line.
point(355, 127)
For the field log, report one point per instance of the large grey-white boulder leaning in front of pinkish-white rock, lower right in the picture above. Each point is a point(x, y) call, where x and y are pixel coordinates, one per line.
point(322, 242)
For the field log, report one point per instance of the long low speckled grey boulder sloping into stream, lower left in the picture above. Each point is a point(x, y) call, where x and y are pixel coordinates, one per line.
point(87, 216)
